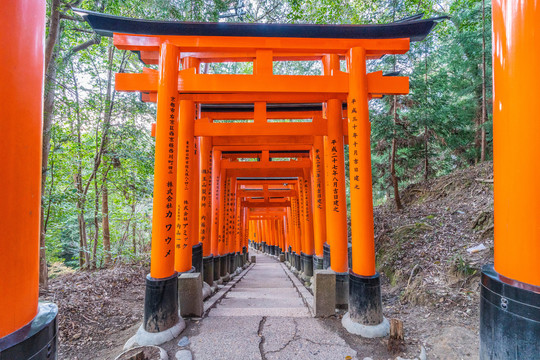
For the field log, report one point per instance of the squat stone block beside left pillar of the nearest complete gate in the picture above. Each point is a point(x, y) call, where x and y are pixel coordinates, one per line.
point(190, 295)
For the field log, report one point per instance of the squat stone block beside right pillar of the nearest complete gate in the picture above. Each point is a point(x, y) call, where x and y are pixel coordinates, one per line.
point(324, 293)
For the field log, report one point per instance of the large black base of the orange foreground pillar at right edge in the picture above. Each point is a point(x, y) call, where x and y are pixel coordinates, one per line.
point(509, 318)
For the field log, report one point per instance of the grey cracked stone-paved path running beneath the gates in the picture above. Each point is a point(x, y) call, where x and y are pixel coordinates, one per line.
point(264, 317)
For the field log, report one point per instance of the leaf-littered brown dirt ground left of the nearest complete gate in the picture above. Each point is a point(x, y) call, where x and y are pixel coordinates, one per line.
point(98, 310)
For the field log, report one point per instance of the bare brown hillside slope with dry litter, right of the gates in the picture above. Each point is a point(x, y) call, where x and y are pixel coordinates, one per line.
point(430, 280)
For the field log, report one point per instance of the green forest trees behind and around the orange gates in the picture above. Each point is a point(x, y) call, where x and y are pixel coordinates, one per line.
point(98, 153)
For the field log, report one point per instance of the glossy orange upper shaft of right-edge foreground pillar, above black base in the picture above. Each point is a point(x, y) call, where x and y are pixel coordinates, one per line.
point(516, 135)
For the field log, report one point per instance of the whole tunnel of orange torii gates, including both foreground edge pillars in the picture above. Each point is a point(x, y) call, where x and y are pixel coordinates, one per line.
point(274, 178)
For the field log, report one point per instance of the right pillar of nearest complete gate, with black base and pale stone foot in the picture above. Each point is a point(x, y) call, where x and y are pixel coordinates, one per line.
point(365, 302)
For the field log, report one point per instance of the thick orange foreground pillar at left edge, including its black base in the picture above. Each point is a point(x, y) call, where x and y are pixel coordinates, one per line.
point(28, 329)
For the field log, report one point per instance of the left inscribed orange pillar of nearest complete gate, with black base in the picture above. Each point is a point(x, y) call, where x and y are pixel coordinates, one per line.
point(161, 298)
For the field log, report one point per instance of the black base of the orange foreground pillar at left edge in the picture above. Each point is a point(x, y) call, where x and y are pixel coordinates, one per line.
point(36, 340)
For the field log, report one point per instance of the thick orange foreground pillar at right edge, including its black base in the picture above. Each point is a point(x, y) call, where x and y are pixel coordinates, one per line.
point(510, 289)
